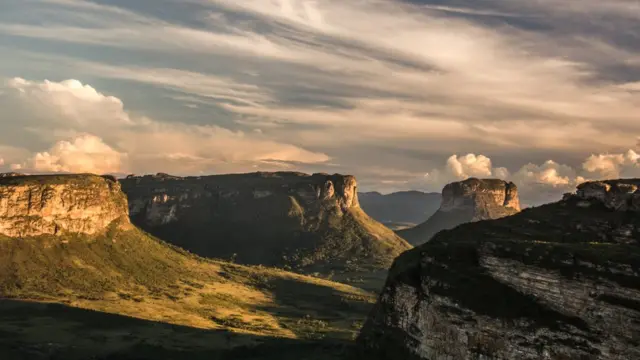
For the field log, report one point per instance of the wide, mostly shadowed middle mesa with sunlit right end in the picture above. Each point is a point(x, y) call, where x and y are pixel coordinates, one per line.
point(282, 218)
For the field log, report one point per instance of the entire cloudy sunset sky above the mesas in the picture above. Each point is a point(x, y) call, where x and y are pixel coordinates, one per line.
point(403, 94)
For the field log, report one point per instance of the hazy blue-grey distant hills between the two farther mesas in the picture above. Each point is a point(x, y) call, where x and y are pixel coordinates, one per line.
point(400, 209)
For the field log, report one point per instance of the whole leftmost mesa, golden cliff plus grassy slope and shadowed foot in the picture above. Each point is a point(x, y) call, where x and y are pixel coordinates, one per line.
point(114, 292)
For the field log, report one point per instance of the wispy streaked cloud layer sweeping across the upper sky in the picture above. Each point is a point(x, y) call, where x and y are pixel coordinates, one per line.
point(368, 82)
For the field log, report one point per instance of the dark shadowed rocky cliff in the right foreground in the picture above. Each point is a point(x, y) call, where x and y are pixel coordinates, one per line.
point(561, 281)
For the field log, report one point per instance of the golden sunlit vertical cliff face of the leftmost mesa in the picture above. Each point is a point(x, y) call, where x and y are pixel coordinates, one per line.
point(58, 205)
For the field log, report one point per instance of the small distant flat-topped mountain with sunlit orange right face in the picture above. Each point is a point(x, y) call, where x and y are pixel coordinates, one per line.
point(467, 201)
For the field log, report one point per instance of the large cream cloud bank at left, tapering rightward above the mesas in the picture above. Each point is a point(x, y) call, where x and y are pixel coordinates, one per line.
point(67, 111)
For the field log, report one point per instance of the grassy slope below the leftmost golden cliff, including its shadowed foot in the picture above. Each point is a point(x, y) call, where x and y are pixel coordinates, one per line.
point(139, 285)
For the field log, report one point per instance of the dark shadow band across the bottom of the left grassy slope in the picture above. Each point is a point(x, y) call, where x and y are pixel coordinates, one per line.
point(38, 331)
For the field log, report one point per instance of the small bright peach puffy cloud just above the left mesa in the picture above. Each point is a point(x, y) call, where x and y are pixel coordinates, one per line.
point(84, 154)
